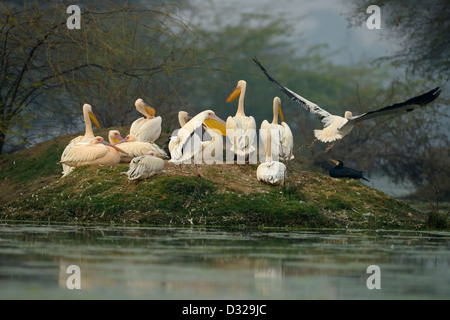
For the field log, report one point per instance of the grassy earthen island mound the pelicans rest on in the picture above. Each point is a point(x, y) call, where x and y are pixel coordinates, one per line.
point(226, 196)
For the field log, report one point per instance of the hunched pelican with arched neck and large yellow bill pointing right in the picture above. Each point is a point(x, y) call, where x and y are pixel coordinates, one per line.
point(187, 145)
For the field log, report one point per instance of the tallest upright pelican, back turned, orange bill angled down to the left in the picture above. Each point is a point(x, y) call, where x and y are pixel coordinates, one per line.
point(243, 127)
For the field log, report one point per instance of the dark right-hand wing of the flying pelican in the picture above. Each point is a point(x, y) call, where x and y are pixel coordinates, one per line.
point(398, 108)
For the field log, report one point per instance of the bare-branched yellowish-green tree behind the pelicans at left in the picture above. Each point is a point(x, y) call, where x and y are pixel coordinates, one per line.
point(48, 71)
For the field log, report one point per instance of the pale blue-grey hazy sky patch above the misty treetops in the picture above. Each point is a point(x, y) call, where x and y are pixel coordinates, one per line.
point(314, 21)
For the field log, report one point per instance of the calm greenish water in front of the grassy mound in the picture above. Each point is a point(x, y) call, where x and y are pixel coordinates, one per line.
point(190, 263)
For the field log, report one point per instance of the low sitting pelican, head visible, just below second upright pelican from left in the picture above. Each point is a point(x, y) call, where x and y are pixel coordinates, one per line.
point(132, 147)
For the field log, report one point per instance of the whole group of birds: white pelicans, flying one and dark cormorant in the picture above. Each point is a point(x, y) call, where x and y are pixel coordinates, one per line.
point(200, 138)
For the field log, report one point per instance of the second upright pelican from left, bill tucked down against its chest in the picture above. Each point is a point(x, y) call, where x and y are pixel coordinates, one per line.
point(147, 128)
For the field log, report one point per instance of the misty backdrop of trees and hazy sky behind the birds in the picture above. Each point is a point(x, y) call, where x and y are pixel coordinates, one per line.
point(189, 55)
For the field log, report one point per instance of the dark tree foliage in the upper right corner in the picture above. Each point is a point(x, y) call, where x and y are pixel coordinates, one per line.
point(421, 28)
